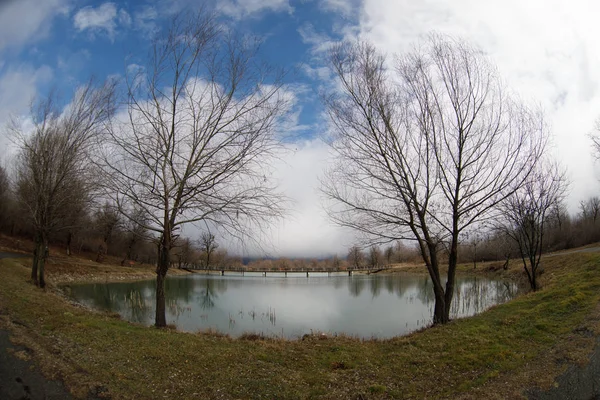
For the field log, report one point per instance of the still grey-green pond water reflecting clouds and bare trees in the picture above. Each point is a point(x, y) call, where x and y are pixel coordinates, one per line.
point(364, 306)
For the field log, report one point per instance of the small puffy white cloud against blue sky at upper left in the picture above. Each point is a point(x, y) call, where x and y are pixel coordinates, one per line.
point(103, 18)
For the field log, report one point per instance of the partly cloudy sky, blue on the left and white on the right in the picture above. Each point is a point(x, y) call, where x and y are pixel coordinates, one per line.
point(546, 50)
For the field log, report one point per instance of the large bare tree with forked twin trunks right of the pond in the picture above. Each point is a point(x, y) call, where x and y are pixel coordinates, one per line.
point(425, 150)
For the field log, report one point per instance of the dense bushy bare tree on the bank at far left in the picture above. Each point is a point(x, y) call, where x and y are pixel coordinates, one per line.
point(54, 172)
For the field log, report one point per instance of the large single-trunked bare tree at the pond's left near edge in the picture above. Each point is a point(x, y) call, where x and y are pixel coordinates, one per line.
point(200, 127)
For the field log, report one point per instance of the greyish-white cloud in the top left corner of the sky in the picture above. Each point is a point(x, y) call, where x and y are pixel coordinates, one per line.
point(22, 21)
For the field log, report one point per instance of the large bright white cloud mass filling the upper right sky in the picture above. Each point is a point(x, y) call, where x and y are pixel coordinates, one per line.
point(546, 51)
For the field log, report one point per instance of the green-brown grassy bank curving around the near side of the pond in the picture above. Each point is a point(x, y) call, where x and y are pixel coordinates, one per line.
point(498, 354)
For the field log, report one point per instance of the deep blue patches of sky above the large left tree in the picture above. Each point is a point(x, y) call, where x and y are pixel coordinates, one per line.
point(76, 40)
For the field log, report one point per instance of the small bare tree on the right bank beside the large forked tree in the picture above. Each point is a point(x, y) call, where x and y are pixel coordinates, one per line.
point(527, 212)
